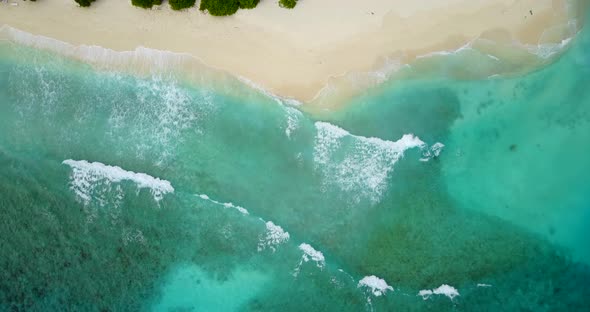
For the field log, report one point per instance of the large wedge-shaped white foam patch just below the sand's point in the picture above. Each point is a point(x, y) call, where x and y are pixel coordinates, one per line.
point(365, 167)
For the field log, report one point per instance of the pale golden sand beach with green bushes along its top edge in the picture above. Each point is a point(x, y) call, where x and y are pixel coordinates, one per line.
point(295, 53)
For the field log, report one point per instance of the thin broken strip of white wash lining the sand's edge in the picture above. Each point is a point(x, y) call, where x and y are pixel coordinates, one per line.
point(163, 60)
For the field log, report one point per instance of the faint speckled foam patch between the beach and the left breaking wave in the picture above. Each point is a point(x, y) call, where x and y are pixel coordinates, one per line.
point(165, 111)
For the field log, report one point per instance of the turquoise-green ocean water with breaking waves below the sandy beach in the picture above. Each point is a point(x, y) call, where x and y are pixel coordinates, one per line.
point(128, 193)
